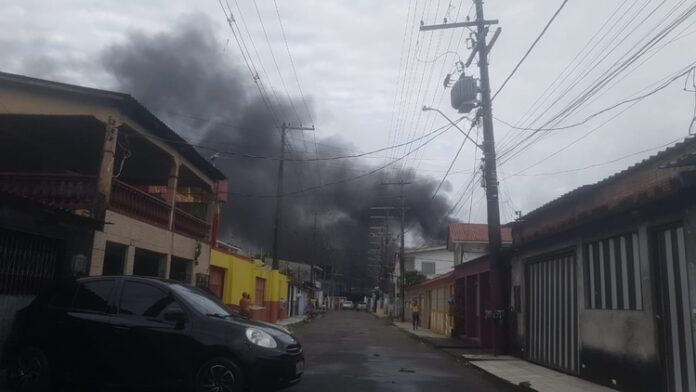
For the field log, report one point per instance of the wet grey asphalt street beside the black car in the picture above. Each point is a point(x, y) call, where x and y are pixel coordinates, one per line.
point(354, 351)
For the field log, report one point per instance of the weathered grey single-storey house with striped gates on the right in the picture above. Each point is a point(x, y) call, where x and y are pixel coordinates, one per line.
point(603, 278)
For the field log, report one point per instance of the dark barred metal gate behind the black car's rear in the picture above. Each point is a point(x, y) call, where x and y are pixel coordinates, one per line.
point(27, 264)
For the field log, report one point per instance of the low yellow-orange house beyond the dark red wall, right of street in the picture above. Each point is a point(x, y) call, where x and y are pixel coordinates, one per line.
point(436, 299)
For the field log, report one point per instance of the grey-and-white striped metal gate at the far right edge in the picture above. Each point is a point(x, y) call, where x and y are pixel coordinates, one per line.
point(680, 350)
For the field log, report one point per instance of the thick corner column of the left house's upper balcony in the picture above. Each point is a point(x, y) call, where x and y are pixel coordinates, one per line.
point(106, 169)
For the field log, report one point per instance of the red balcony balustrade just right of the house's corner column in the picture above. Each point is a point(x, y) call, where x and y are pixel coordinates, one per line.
point(139, 205)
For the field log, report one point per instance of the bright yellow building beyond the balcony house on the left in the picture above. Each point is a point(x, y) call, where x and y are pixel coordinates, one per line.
point(232, 274)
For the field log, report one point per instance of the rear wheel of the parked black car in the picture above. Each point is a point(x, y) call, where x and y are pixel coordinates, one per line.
point(29, 371)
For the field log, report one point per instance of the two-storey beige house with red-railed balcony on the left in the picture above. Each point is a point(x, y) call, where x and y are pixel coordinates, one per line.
point(102, 155)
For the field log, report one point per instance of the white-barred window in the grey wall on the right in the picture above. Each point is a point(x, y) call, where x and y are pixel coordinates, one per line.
point(612, 274)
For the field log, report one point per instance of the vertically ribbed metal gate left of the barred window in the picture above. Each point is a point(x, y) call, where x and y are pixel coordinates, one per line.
point(552, 312)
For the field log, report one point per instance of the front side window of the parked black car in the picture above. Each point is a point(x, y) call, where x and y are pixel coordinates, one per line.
point(142, 299)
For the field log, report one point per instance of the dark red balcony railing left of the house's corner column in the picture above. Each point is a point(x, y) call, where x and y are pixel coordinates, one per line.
point(69, 191)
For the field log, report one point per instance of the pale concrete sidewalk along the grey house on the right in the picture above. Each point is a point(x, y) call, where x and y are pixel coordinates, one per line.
point(514, 370)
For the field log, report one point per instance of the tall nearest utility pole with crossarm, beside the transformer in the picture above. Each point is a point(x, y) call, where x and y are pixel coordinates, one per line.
point(490, 171)
